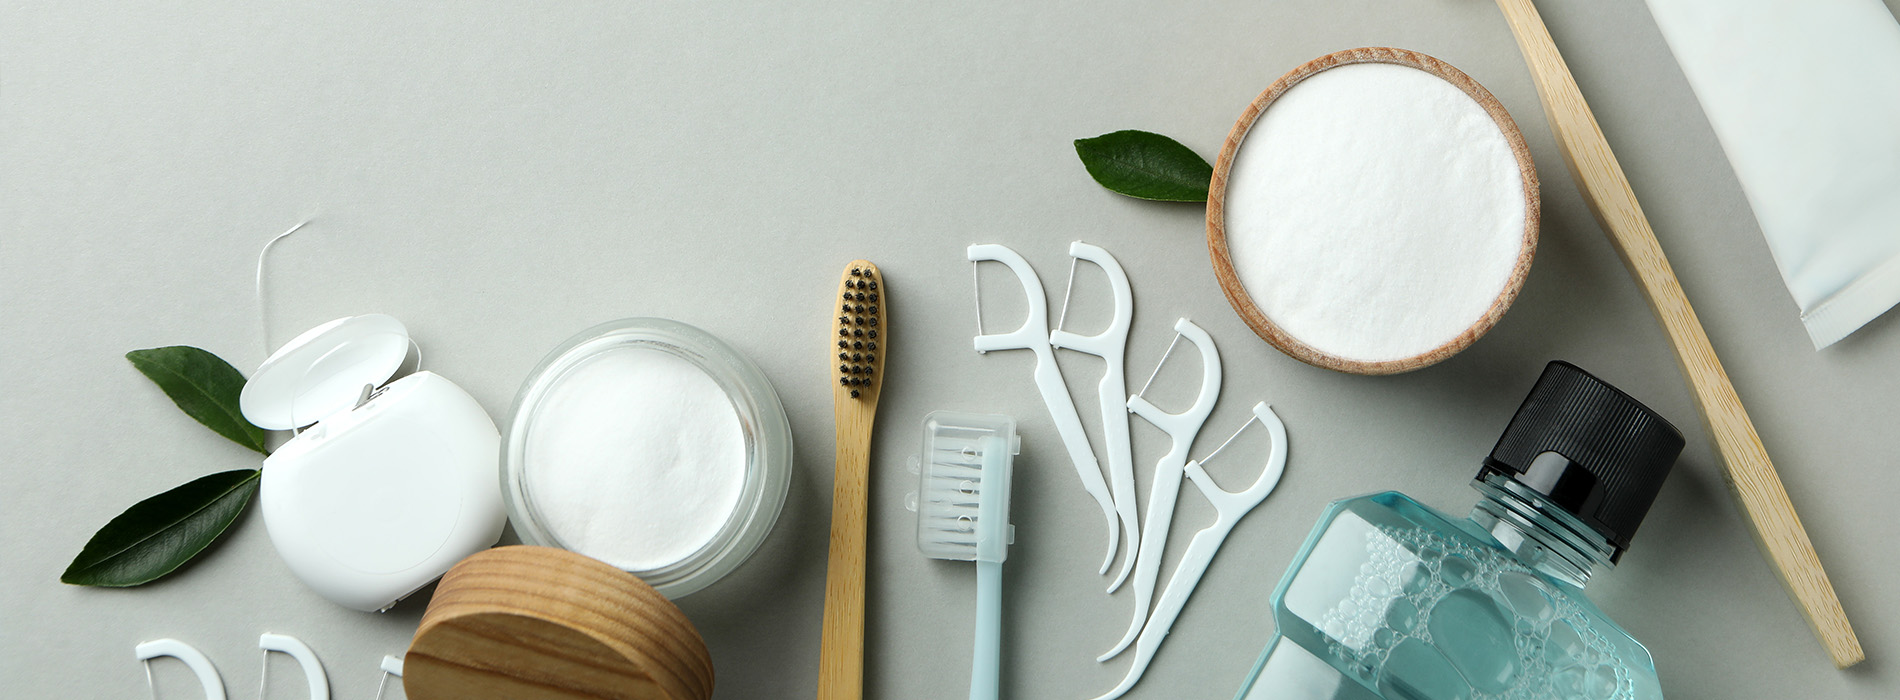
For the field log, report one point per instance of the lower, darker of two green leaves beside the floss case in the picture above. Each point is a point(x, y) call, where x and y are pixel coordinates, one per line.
point(162, 534)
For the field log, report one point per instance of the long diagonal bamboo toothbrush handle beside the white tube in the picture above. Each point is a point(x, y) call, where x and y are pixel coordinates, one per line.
point(1747, 465)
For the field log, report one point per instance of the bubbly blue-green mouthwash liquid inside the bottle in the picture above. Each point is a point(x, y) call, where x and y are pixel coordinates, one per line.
point(1439, 619)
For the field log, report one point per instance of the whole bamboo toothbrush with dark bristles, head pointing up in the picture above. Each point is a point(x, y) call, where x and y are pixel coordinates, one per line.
point(858, 345)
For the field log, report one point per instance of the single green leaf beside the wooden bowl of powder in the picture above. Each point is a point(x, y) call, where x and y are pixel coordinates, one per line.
point(1147, 166)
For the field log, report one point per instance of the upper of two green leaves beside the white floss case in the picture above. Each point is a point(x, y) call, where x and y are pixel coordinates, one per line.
point(204, 387)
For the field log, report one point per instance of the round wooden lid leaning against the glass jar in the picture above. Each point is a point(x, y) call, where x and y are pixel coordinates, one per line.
point(544, 623)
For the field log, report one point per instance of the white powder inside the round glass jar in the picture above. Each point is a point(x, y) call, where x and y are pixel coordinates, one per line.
point(636, 457)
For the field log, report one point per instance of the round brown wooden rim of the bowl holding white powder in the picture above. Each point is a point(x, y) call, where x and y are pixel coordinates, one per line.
point(1217, 235)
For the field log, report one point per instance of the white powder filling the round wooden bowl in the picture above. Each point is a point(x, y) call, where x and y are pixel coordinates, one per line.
point(1375, 212)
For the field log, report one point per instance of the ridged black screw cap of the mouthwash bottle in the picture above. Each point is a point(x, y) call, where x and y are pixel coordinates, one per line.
point(1589, 450)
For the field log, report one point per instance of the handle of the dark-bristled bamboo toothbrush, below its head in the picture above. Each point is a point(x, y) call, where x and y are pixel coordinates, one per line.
point(843, 648)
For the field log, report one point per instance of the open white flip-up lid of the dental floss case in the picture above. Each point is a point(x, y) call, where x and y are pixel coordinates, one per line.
point(324, 372)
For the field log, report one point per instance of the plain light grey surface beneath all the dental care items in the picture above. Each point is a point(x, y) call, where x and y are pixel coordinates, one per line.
point(503, 176)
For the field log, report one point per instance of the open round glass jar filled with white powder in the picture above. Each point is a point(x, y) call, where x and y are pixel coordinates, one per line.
point(651, 446)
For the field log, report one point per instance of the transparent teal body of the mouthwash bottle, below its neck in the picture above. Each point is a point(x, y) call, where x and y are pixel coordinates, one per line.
point(1397, 593)
